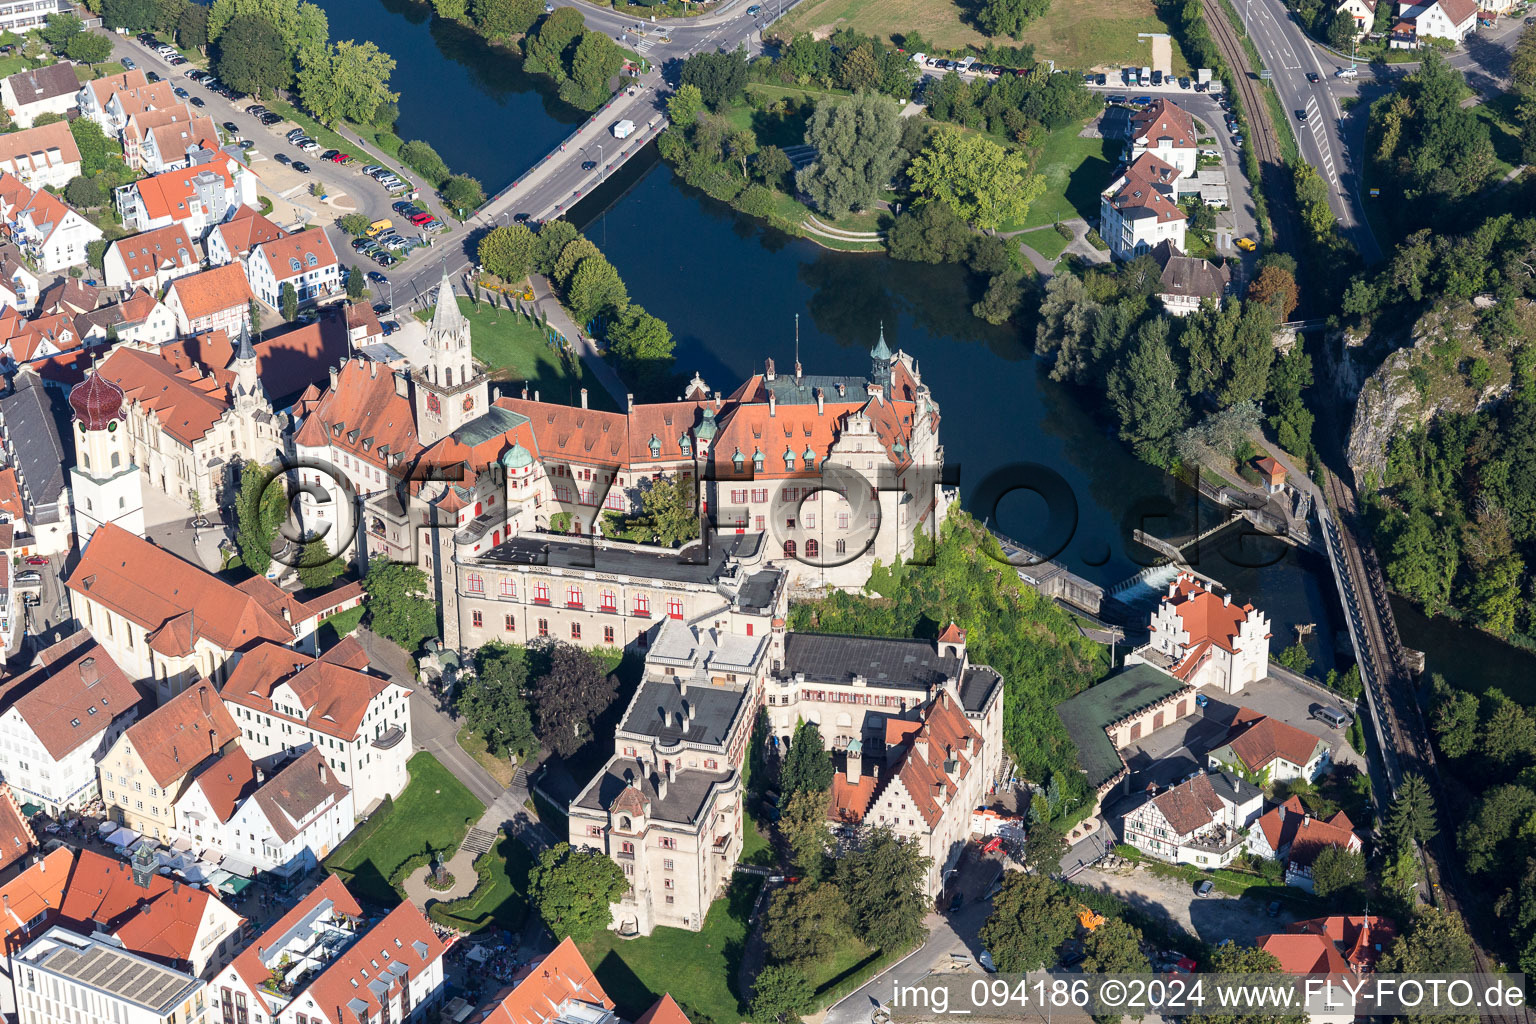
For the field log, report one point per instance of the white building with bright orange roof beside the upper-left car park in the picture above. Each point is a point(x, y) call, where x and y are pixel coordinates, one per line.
point(197, 197)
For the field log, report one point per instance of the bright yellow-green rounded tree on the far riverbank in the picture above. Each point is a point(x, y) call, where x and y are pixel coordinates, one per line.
point(978, 179)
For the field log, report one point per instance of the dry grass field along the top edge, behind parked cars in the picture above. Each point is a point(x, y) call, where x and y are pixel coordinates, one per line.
point(1076, 35)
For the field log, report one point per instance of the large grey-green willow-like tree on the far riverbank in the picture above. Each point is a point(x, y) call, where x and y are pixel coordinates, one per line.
point(856, 144)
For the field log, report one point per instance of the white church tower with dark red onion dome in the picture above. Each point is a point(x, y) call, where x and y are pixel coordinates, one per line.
point(105, 483)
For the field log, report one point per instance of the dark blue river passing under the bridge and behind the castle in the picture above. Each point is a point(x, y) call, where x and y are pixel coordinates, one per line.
point(732, 289)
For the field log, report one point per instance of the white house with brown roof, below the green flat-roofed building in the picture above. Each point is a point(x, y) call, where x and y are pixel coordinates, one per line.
point(1199, 822)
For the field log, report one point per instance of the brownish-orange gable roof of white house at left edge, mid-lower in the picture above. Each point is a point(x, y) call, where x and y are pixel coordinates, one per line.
point(71, 696)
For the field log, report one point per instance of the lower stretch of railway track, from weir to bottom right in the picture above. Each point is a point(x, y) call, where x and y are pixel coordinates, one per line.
point(1403, 735)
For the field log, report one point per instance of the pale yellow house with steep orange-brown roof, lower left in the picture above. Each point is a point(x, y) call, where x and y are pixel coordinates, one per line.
point(151, 765)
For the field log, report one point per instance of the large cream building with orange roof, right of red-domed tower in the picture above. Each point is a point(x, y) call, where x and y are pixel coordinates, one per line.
point(185, 428)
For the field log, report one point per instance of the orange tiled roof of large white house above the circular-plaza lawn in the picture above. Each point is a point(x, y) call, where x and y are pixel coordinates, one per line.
point(334, 696)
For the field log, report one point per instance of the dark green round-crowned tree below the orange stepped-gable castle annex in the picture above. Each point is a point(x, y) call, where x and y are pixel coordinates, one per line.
point(882, 877)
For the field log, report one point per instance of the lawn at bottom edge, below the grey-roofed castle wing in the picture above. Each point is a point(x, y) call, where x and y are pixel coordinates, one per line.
point(697, 968)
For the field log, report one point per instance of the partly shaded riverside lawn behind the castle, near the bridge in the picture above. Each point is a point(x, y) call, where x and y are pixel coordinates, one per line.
point(517, 351)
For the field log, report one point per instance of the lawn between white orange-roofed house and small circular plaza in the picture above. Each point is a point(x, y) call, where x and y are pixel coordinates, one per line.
point(435, 811)
